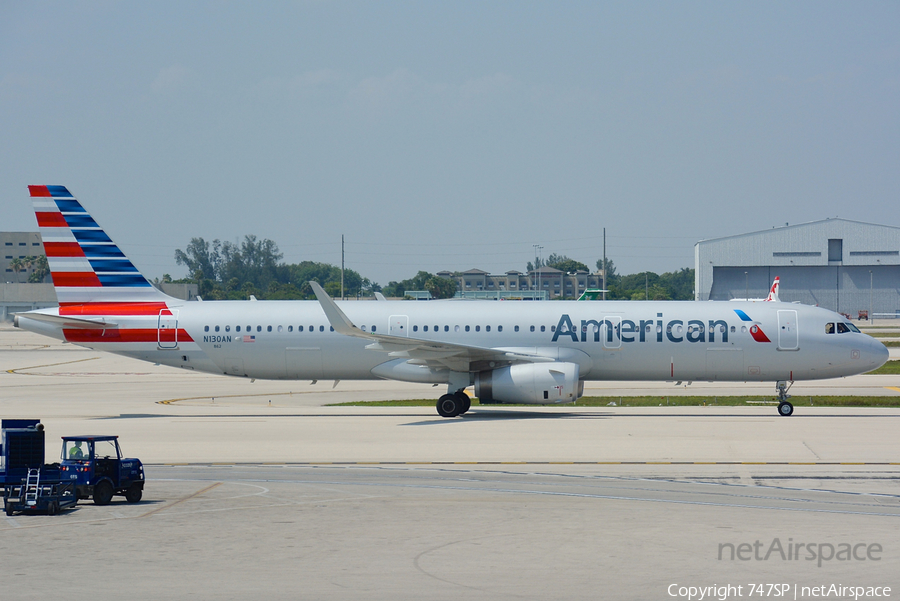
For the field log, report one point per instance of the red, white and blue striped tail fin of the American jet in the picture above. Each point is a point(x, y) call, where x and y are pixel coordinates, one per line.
point(86, 265)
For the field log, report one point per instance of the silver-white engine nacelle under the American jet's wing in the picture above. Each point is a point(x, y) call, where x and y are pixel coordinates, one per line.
point(538, 383)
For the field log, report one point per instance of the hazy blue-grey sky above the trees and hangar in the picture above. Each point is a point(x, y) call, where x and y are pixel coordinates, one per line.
point(450, 135)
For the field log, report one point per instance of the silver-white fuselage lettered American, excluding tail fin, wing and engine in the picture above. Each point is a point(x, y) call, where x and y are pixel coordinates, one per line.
point(609, 340)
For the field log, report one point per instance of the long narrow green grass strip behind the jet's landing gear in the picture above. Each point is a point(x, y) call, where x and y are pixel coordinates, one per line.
point(674, 401)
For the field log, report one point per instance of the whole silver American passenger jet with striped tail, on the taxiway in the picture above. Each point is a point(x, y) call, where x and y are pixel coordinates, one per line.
point(512, 352)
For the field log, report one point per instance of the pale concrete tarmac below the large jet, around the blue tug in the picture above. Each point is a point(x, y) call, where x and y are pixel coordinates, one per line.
point(259, 489)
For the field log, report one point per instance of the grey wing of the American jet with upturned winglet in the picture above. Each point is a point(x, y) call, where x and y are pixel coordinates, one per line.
point(457, 357)
